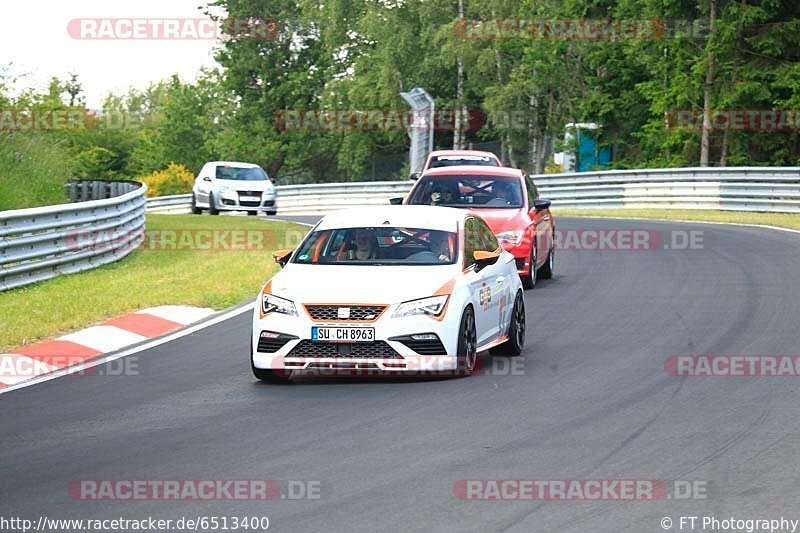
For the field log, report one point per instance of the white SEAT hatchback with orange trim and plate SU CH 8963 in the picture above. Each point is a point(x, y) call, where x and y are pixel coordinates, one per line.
point(391, 289)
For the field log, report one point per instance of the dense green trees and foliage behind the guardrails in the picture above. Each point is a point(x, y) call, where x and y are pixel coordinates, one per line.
point(358, 55)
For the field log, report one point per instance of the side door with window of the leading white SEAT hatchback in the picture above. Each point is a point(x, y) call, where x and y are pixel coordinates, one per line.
point(484, 284)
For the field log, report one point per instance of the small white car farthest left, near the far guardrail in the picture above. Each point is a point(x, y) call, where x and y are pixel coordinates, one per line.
point(233, 186)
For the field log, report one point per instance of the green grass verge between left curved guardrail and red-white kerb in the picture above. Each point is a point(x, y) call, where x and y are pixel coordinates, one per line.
point(146, 278)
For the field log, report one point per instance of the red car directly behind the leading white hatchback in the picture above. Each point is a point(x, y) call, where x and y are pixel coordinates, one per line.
point(508, 201)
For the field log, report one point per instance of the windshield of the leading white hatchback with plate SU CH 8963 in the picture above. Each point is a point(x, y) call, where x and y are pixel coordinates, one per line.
point(380, 245)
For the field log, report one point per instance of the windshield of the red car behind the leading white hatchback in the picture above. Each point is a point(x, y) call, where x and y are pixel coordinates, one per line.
point(468, 191)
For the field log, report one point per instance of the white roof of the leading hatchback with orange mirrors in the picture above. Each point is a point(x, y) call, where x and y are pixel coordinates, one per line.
point(402, 216)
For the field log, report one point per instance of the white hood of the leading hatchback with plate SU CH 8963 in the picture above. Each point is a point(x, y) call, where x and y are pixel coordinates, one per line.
point(360, 284)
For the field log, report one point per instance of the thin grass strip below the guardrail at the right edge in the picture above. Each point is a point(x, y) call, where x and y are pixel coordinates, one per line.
point(783, 220)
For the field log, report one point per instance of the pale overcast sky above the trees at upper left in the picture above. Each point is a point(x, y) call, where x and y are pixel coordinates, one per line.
point(35, 40)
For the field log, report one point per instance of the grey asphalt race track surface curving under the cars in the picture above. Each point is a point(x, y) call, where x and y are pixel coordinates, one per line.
point(590, 400)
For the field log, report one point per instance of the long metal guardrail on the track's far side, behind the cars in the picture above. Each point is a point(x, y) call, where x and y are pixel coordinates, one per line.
point(775, 189)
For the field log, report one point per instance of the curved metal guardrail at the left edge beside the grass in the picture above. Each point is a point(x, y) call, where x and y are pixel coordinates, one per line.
point(104, 223)
